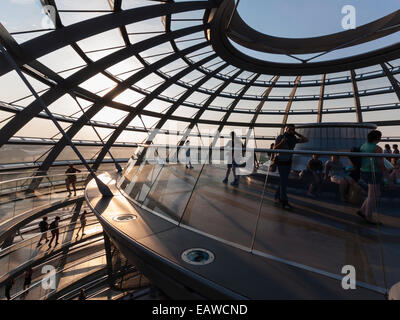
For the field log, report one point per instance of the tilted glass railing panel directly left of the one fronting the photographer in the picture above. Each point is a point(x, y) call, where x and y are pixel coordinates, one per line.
point(224, 211)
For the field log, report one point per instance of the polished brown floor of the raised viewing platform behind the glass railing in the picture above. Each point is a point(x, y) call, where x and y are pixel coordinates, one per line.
point(320, 236)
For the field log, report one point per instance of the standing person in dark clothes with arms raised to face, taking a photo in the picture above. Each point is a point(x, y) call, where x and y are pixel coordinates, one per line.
point(283, 161)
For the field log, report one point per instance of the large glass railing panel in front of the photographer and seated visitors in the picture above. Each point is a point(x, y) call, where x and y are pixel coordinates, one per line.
point(323, 231)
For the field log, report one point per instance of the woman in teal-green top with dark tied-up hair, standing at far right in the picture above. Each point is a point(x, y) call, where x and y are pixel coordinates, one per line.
point(372, 171)
